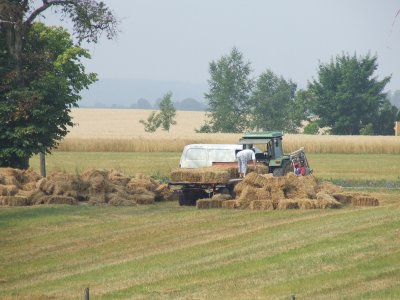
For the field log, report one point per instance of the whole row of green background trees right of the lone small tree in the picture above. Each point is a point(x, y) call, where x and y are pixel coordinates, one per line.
point(345, 97)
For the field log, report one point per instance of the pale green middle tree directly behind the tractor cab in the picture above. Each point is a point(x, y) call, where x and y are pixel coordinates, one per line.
point(273, 105)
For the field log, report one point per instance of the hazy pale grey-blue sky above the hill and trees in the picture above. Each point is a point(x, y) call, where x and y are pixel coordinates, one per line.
point(177, 39)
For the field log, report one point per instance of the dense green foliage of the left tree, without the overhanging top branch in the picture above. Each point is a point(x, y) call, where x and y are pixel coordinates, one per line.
point(34, 118)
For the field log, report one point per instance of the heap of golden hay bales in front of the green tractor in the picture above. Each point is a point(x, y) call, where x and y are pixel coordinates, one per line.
point(265, 192)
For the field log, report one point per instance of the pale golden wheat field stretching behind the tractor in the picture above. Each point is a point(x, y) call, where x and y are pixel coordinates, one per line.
point(119, 130)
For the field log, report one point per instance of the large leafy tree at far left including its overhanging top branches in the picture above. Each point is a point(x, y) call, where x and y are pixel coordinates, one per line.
point(41, 73)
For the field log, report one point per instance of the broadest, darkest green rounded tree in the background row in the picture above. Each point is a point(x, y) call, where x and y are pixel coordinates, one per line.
point(347, 96)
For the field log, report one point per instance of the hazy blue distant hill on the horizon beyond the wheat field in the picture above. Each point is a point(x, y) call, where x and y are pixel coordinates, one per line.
point(135, 93)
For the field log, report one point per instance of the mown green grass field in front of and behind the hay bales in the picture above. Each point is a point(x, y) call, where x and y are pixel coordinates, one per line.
point(164, 251)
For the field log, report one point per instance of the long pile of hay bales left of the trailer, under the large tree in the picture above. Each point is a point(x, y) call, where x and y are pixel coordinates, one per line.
point(25, 187)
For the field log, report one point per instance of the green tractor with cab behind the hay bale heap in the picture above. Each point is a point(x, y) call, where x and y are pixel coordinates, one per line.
point(278, 163)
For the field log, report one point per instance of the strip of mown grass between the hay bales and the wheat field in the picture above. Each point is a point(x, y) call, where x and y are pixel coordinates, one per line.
point(361, 167)
